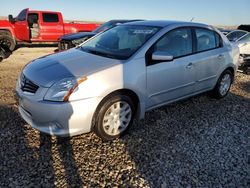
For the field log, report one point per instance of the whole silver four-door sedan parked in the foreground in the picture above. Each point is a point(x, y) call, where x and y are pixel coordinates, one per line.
point(103, 84)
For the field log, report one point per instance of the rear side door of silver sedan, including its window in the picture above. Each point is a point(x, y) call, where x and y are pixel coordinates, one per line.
point(210, 56)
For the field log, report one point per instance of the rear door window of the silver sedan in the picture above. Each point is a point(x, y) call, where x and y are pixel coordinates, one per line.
point(206, 39)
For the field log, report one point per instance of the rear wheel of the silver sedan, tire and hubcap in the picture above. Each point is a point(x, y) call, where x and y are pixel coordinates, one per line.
point(223, 85)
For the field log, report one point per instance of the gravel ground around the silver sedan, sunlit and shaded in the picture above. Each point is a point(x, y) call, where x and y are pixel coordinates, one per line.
point(199, 142)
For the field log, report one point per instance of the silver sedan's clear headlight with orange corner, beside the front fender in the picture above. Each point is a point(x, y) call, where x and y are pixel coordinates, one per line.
point(62, 90)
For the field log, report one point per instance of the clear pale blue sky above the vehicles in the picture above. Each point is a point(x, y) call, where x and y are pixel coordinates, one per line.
point(215, 12)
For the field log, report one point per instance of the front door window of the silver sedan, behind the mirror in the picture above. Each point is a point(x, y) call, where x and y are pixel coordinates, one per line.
point(177, 42)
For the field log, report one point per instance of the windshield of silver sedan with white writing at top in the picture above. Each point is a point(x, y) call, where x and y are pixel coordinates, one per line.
point(120, 42)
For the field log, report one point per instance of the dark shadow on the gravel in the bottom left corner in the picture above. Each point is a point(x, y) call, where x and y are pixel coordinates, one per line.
point(18, 157)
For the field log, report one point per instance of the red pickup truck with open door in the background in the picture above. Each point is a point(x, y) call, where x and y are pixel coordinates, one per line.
point(37, 26)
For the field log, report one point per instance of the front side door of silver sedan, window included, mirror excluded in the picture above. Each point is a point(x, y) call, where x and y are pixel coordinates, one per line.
point(170, 80)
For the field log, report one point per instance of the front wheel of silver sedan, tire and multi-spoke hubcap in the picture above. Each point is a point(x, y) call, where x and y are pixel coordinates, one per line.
point(109, 123)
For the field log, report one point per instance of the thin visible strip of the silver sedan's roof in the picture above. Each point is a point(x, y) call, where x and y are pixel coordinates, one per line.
point(165, 23)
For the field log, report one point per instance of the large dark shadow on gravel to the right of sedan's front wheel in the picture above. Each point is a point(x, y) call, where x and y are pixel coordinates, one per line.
point(192, 143)
